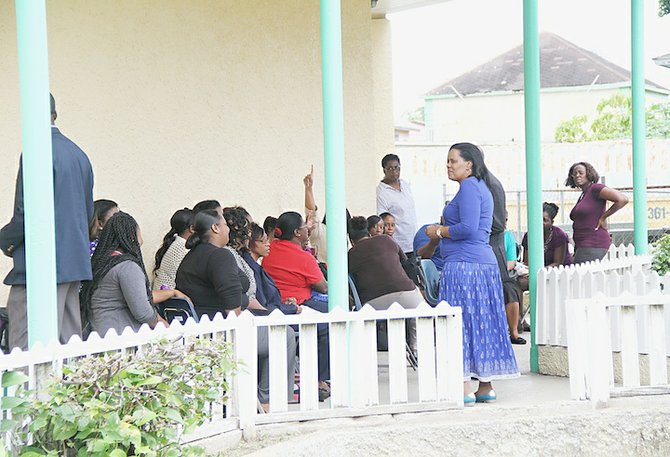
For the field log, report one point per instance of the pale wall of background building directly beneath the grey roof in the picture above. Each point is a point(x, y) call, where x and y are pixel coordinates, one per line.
point(500, 118)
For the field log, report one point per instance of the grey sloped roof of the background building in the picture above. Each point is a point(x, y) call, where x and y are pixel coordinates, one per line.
point(562, 64)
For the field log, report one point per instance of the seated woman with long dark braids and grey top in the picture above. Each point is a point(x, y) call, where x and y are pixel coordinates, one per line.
point(119, 296)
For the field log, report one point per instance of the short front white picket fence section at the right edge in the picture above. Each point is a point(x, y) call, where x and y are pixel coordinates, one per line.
point(590, 338)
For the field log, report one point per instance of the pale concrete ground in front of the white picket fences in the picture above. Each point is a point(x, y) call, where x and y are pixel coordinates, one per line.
point(533, 416)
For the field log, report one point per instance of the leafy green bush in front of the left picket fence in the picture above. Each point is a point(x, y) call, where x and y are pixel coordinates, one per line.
point(122, 404)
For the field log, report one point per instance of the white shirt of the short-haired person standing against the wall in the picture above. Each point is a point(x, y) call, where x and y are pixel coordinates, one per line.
point(400, 203)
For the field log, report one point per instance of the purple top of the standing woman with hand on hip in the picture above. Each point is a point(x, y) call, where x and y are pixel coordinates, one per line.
point(585, 216)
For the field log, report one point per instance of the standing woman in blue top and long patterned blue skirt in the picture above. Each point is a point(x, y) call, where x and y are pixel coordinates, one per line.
point(470, 277)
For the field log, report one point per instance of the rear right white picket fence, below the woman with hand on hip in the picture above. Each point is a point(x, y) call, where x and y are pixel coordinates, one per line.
point(620, 272)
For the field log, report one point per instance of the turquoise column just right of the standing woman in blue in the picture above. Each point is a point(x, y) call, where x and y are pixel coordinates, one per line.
point(531, 95)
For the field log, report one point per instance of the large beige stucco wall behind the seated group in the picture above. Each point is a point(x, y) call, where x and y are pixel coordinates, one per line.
point(176, 102)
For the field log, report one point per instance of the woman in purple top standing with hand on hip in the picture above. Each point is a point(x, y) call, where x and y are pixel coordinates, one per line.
point(589, 216)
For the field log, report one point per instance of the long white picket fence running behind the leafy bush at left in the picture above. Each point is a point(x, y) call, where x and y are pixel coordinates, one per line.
point(354, 363)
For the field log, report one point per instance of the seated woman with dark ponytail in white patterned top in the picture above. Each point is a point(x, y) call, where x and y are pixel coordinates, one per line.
point(173, 250)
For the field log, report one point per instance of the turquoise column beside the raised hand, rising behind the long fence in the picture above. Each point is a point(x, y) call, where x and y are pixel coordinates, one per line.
point(333, 137)
